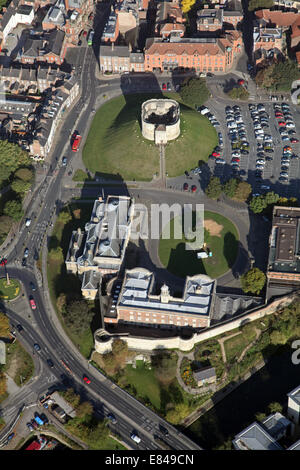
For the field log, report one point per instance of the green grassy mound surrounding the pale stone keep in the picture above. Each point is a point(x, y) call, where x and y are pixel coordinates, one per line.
point(115, 146)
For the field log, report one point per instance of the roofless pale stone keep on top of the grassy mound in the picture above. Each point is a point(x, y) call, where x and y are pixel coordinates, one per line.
point(160, 120)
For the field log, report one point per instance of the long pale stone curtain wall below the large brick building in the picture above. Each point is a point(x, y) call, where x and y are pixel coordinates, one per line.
point(176, 342)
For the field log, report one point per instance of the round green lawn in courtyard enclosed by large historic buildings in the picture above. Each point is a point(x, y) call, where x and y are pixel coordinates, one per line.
point(182, 262)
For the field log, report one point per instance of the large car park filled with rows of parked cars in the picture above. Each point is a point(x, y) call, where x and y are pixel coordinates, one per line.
point(254, 146)
